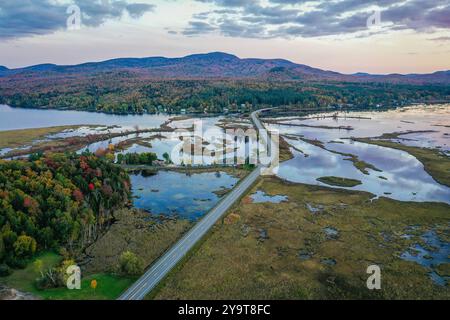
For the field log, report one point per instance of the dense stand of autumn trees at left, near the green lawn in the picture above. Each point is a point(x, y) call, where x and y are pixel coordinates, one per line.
point(54, 201)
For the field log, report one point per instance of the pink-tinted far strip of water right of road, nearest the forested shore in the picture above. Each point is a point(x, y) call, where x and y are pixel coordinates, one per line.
point(373, 124)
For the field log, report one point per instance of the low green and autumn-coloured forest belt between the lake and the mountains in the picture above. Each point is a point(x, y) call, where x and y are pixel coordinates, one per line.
point(128, 93)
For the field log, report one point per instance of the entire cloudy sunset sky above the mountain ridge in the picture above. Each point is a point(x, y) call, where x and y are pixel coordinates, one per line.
point(377, 36)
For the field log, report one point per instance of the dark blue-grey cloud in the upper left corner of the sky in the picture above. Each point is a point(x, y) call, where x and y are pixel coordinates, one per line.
point(38, 17)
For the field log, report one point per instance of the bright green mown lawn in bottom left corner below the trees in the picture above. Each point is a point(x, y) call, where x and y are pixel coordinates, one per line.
point(109, 286)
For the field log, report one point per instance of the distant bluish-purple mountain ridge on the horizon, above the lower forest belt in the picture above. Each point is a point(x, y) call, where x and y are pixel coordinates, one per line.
point(217, 65)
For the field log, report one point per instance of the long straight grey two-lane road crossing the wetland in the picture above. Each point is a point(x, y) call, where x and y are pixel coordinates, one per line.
point(170, 259)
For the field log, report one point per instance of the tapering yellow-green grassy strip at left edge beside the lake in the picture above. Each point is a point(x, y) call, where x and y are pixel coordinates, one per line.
point(18, 138)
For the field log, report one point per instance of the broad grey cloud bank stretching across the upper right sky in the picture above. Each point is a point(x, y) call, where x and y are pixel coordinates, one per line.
point(313, 18)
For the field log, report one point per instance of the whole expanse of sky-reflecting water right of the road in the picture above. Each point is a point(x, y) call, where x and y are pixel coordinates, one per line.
point(402, 176)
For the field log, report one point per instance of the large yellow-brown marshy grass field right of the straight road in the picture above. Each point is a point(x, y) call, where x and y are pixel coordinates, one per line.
point(283, 251)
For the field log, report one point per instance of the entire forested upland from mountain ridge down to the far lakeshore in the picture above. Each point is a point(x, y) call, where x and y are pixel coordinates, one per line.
point(209, 83)
